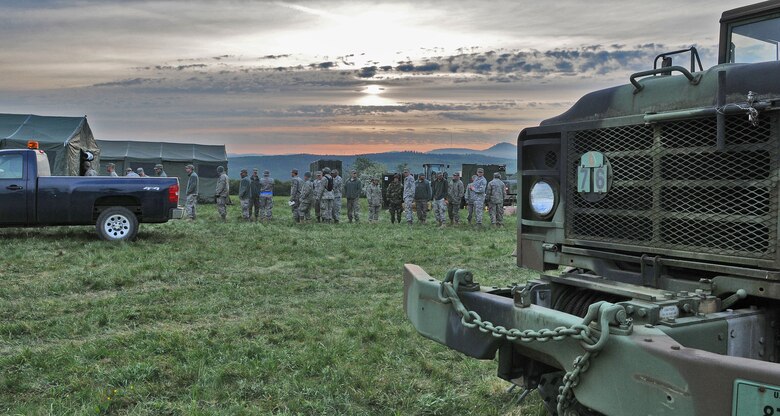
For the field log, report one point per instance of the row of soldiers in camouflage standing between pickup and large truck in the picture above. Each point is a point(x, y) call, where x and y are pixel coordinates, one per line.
point(325, 190)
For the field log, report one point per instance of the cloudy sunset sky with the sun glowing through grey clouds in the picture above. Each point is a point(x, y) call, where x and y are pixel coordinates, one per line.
point(332, 77)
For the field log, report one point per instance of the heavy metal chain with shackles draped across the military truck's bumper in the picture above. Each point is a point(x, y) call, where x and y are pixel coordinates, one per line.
point(448, 293)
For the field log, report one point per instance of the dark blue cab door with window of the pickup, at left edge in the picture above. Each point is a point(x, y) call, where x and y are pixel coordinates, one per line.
point(13, 192)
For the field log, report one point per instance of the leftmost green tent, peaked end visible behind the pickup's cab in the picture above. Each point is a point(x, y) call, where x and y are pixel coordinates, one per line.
point(64, 139)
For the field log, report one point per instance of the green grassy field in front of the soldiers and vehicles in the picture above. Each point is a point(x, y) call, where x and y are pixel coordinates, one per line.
point(211, 318)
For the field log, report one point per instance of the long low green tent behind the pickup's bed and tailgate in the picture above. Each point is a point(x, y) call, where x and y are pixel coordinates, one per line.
point(173, 156)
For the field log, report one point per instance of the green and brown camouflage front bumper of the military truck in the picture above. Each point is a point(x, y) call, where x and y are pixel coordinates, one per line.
point(643, 371)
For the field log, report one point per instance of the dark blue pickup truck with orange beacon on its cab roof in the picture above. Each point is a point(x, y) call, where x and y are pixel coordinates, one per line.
point(30, 197)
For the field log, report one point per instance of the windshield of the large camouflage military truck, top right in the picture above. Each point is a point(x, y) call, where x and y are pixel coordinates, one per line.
point(757, 41)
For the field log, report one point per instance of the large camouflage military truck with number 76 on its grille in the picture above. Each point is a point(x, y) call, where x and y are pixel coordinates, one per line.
point(660, 198)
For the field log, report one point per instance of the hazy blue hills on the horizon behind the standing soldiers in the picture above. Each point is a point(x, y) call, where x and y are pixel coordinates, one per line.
point(281, 165)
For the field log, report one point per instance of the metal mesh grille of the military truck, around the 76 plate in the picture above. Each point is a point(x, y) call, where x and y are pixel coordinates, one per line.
point(671, 189)
